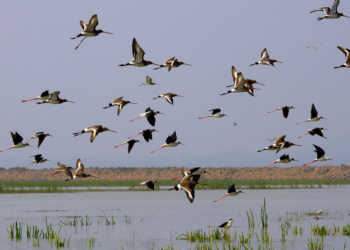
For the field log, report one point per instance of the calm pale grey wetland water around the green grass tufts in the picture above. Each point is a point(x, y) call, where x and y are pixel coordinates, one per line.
point(156, 218)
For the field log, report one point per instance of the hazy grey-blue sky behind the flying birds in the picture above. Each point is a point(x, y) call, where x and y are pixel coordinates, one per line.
point(37, 55)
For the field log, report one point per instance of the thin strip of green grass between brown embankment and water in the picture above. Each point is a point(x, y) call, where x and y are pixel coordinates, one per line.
point(106, 185)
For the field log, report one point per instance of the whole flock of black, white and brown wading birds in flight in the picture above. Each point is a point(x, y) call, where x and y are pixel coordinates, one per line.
point(189, 178)
